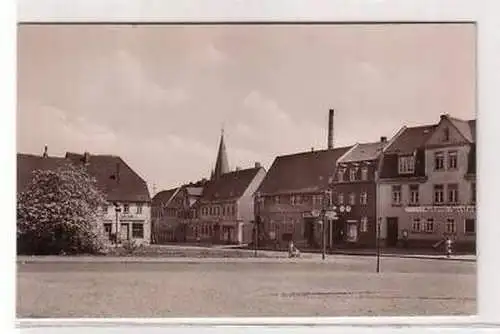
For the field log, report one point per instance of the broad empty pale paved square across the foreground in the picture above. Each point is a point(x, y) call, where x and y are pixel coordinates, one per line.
point(178, 287)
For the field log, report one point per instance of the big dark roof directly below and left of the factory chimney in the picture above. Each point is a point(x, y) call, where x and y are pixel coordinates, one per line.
point(302, 172)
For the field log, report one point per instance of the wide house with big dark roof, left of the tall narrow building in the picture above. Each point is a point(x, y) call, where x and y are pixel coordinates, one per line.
point(292, 196)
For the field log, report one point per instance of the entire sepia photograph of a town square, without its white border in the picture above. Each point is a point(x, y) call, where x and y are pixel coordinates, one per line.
point(246, 170)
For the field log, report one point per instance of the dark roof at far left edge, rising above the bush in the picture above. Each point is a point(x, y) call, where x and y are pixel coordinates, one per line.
point(28, 163)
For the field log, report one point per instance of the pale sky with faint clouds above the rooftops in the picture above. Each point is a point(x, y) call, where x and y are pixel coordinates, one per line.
point(159, 95)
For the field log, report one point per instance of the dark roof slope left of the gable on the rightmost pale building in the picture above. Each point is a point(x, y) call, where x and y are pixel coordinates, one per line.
point(411, 139)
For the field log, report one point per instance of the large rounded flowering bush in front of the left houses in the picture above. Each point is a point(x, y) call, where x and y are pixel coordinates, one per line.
point(59, 213)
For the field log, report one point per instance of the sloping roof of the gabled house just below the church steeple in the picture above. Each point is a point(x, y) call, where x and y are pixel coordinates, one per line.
point(229, 185)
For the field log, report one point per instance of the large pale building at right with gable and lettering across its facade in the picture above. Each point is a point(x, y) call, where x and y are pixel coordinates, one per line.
point(427, 185)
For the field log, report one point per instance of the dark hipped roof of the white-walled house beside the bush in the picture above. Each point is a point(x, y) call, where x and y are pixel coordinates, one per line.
point(114, 177)
